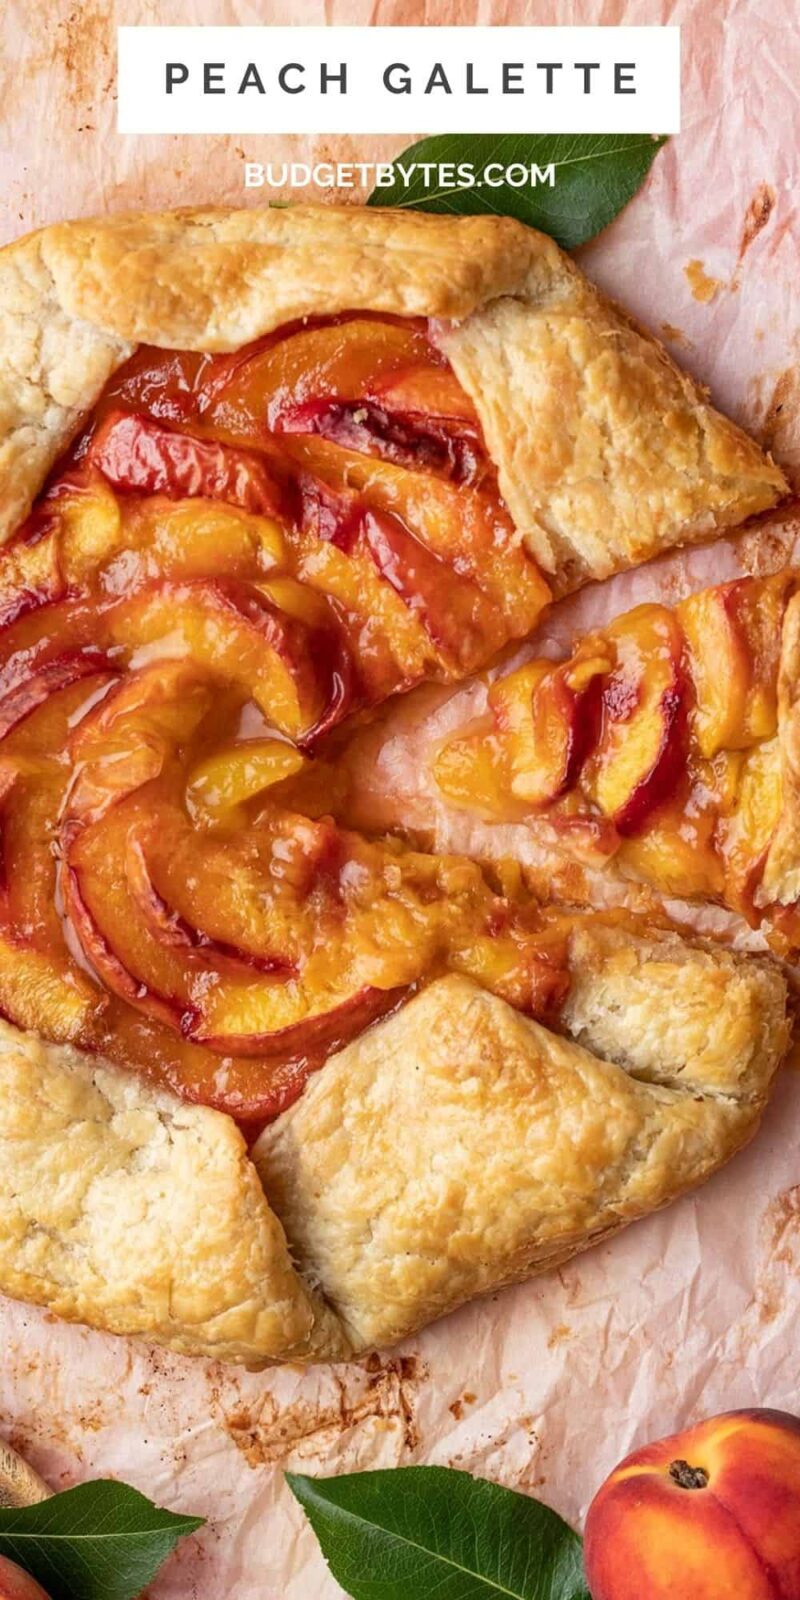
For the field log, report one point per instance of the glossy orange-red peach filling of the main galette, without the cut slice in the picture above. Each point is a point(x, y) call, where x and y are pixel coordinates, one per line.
point(239, 553)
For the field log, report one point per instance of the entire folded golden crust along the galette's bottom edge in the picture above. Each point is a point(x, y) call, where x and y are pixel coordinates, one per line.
point(452, 1150)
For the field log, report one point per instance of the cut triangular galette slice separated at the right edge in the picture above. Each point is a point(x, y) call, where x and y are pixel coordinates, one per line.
point(657, 743)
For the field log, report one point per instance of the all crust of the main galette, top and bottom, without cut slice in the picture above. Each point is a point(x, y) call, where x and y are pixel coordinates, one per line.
point(455, 1146)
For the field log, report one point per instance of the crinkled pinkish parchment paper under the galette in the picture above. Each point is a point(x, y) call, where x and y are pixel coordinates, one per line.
point(692, 1311)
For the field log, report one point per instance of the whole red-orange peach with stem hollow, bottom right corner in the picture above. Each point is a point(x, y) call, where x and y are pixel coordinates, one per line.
point(711, 1514)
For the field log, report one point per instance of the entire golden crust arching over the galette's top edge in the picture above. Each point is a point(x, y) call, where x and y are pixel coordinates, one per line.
point(607, 454)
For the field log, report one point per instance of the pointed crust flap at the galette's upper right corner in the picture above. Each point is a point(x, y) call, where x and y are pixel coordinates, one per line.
point(607, 452)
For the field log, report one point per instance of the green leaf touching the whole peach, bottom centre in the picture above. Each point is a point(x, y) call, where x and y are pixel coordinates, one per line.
point(433, 1532)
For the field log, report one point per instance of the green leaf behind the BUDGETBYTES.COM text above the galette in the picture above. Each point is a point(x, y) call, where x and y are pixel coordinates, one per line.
point(596, 175)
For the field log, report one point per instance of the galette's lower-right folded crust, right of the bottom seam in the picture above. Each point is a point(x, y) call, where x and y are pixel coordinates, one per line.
point(462, 1146)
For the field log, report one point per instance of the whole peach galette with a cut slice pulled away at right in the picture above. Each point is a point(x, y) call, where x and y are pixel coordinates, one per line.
point(260, 473)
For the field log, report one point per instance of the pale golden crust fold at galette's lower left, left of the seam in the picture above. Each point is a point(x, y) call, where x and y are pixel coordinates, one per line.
point(130, 1210)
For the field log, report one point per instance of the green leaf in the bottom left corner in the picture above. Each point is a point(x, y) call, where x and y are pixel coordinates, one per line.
point(98, 1542)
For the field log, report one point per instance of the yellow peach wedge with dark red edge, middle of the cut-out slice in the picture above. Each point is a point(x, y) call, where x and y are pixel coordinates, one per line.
point(644, 735)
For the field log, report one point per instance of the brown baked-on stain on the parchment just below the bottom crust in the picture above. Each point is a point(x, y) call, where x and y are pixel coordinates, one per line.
point(375, 1390)
